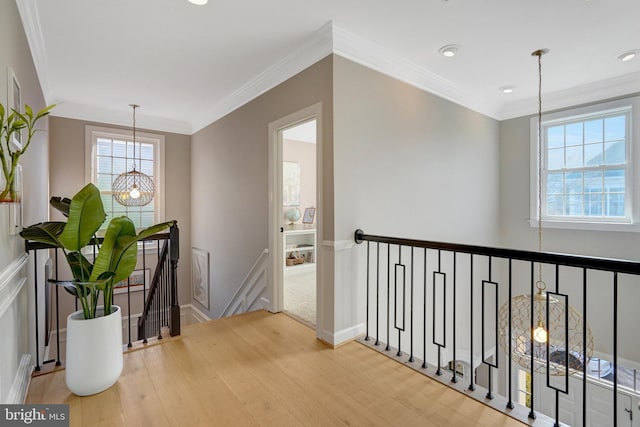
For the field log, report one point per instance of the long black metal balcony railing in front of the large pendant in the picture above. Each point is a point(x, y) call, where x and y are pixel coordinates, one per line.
point(433, 282)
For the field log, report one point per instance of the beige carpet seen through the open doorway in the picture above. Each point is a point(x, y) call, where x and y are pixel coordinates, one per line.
point(300, 294)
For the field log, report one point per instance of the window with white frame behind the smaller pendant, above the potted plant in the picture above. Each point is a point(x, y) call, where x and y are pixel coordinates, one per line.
point(109, 152)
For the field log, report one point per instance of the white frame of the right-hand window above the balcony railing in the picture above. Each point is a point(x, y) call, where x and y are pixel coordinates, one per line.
point(631, 221)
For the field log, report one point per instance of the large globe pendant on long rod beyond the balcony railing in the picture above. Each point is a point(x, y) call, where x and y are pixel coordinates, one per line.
point(556, 330)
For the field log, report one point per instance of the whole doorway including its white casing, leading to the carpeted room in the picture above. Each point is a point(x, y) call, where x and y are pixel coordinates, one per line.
point(296, 273)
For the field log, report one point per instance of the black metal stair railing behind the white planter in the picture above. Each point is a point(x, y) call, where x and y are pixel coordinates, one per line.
point(159, 297)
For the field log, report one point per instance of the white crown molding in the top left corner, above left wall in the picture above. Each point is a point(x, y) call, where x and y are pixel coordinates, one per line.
point(28, 10)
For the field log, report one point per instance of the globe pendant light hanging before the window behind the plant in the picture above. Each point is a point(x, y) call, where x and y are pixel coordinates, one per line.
point(133, 188)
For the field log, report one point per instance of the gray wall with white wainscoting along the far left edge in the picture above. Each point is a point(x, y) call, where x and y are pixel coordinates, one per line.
point(16, 323)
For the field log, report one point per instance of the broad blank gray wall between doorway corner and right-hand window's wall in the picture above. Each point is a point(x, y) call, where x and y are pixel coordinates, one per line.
point(408, 164)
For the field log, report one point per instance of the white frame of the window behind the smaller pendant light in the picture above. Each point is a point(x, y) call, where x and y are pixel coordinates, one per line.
point(92, 133)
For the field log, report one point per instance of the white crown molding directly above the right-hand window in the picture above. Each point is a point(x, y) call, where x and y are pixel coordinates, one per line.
point(579, 95)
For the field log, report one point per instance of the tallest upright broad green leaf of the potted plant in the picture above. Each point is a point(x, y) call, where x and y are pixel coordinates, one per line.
point(86, 215)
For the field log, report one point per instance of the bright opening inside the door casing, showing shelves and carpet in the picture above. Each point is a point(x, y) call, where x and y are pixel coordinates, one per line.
point(298, 220)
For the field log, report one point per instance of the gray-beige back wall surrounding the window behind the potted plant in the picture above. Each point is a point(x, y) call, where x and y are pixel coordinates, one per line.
point(67, 160)
